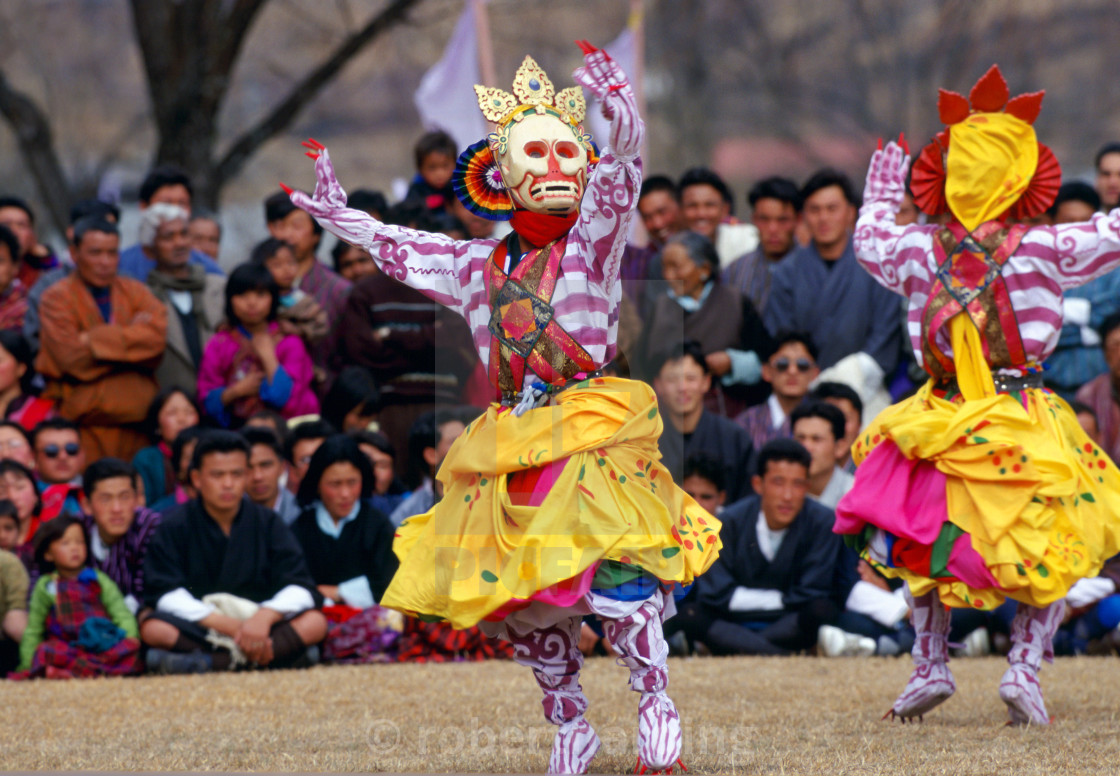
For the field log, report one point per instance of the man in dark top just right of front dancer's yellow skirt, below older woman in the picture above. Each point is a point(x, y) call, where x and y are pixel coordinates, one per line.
point(682, 384)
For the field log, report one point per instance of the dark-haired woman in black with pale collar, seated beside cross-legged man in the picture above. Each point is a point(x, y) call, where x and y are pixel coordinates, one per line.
point(349, 547)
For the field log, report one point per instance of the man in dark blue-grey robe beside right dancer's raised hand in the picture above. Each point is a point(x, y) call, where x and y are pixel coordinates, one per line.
point(823, 291)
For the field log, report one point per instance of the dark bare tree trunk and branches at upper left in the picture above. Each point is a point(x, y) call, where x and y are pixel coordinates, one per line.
point(190, 50)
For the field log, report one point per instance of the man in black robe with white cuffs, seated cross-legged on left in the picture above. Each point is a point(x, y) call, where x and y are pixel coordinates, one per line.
point(225, 544)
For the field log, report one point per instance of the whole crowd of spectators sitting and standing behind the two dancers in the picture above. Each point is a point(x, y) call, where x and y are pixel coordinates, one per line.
point(203, 459)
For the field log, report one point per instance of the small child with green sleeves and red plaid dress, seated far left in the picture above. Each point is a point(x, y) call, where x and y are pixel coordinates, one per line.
point(78, 624)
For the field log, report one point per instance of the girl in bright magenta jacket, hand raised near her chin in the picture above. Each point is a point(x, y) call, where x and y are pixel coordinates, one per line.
point(250, 364)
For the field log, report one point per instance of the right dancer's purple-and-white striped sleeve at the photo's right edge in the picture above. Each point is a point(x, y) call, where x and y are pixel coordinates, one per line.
point(1076, 254)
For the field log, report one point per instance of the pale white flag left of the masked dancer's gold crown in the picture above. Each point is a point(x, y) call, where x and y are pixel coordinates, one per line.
point(446, 97)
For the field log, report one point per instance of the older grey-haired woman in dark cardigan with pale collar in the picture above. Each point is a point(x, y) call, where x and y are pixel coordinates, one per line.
point(696, 306)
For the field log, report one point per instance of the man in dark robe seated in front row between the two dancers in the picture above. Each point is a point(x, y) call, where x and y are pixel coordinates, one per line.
point(771, 588)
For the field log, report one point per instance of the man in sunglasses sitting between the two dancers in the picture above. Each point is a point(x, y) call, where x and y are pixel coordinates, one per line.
point(790, 371)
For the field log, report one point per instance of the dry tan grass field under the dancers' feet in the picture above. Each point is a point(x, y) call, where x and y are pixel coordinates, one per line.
point(741, 716)
